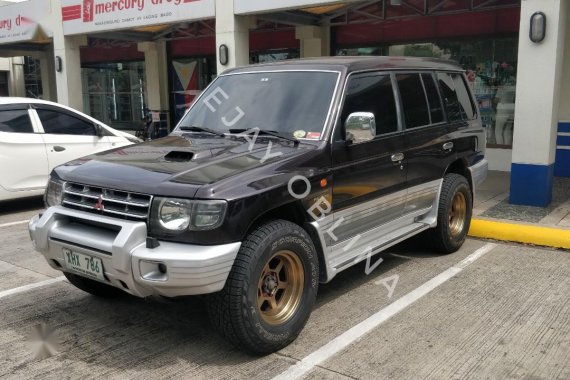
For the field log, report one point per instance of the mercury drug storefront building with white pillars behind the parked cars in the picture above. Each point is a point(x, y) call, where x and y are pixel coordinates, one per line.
point(118, 60)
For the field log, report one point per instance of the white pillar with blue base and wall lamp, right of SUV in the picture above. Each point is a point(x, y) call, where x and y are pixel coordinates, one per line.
point(537, 99)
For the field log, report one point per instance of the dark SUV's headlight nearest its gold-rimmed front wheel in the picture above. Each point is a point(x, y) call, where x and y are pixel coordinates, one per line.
point(184, 214)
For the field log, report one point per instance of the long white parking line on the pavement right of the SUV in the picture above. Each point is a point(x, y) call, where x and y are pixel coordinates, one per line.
point(355, 333)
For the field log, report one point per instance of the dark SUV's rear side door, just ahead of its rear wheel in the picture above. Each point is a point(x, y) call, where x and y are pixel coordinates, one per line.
point(427, 138)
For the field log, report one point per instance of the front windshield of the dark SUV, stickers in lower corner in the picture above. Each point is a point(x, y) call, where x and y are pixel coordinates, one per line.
point(293, 103)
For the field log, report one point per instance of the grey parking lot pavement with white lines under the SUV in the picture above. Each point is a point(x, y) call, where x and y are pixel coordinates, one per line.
point(491, 310)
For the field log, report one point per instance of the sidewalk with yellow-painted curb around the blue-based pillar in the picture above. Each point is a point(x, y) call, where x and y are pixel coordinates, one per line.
point(495, 218)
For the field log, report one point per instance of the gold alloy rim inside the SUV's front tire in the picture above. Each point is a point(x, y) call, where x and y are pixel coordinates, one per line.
point(280, 287)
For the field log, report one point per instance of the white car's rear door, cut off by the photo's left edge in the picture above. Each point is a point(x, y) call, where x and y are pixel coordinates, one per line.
point(23, 158)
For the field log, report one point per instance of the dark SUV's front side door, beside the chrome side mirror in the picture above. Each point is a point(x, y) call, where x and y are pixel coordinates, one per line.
point(369, 174)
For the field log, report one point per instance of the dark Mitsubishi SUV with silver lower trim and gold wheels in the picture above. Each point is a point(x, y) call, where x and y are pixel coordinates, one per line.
point(279, 177)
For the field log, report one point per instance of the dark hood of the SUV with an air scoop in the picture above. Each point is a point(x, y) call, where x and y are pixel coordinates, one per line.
point(177, 165)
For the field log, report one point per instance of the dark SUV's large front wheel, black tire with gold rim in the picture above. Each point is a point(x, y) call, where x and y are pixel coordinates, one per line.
point(270, 291)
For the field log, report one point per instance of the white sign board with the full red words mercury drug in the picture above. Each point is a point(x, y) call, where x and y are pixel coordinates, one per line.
point(95, 16)
